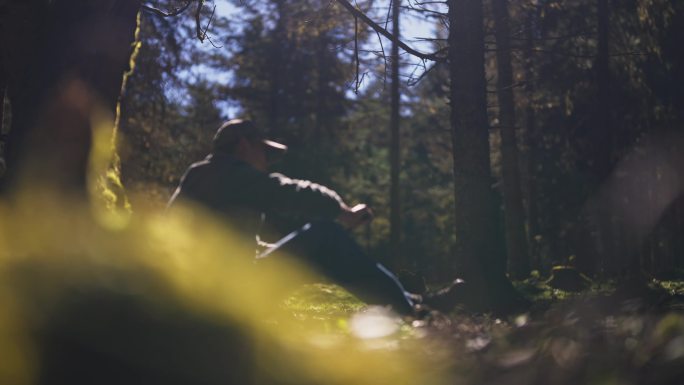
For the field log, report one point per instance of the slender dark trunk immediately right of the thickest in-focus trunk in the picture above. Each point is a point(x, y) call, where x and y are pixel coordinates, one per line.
point(516, 241)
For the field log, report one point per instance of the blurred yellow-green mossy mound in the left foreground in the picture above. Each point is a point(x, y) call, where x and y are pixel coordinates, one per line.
point(56, 260)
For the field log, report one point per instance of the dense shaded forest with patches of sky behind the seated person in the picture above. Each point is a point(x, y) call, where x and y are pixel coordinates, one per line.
point(594, 165)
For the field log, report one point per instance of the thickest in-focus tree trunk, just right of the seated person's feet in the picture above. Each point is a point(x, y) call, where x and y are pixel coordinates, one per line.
point(480, 256)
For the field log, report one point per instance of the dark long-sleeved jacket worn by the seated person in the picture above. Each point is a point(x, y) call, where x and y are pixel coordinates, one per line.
point(241, 193)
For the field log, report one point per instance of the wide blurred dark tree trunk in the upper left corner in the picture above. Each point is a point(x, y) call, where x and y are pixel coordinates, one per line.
point(64, 61)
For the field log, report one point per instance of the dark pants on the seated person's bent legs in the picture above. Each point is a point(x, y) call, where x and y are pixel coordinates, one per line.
point(329, 249)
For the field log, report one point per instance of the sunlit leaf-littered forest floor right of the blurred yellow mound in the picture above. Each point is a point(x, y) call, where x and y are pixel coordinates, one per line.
point(601, 336)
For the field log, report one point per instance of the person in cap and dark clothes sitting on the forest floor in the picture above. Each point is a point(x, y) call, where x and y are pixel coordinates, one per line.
point(233, 181)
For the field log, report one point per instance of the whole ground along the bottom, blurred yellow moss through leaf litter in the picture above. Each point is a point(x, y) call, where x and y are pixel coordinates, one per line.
point(164, 300)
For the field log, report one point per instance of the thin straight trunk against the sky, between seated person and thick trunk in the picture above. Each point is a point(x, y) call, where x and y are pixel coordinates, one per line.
point(395, 204)
